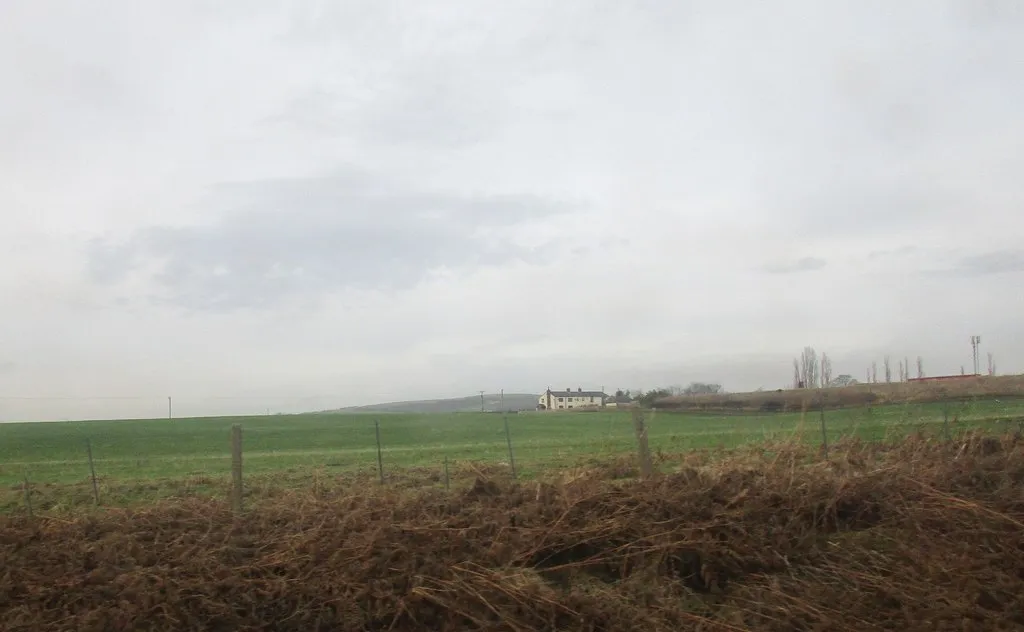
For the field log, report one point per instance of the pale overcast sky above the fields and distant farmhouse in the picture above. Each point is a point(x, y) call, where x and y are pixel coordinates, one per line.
point(251, 204)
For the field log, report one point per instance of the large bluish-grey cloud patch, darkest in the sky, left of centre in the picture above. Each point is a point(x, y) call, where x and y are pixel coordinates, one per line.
point(308, 237)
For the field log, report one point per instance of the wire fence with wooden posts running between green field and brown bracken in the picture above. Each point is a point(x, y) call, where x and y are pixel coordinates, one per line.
point(56, 467)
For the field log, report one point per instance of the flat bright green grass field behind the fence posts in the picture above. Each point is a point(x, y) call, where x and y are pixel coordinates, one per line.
point(147, 450)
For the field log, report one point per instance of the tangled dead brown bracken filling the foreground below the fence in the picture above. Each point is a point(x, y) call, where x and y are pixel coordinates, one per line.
point(913, 536)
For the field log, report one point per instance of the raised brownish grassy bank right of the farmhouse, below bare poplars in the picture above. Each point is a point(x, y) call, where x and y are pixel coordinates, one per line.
point(985, 388)
